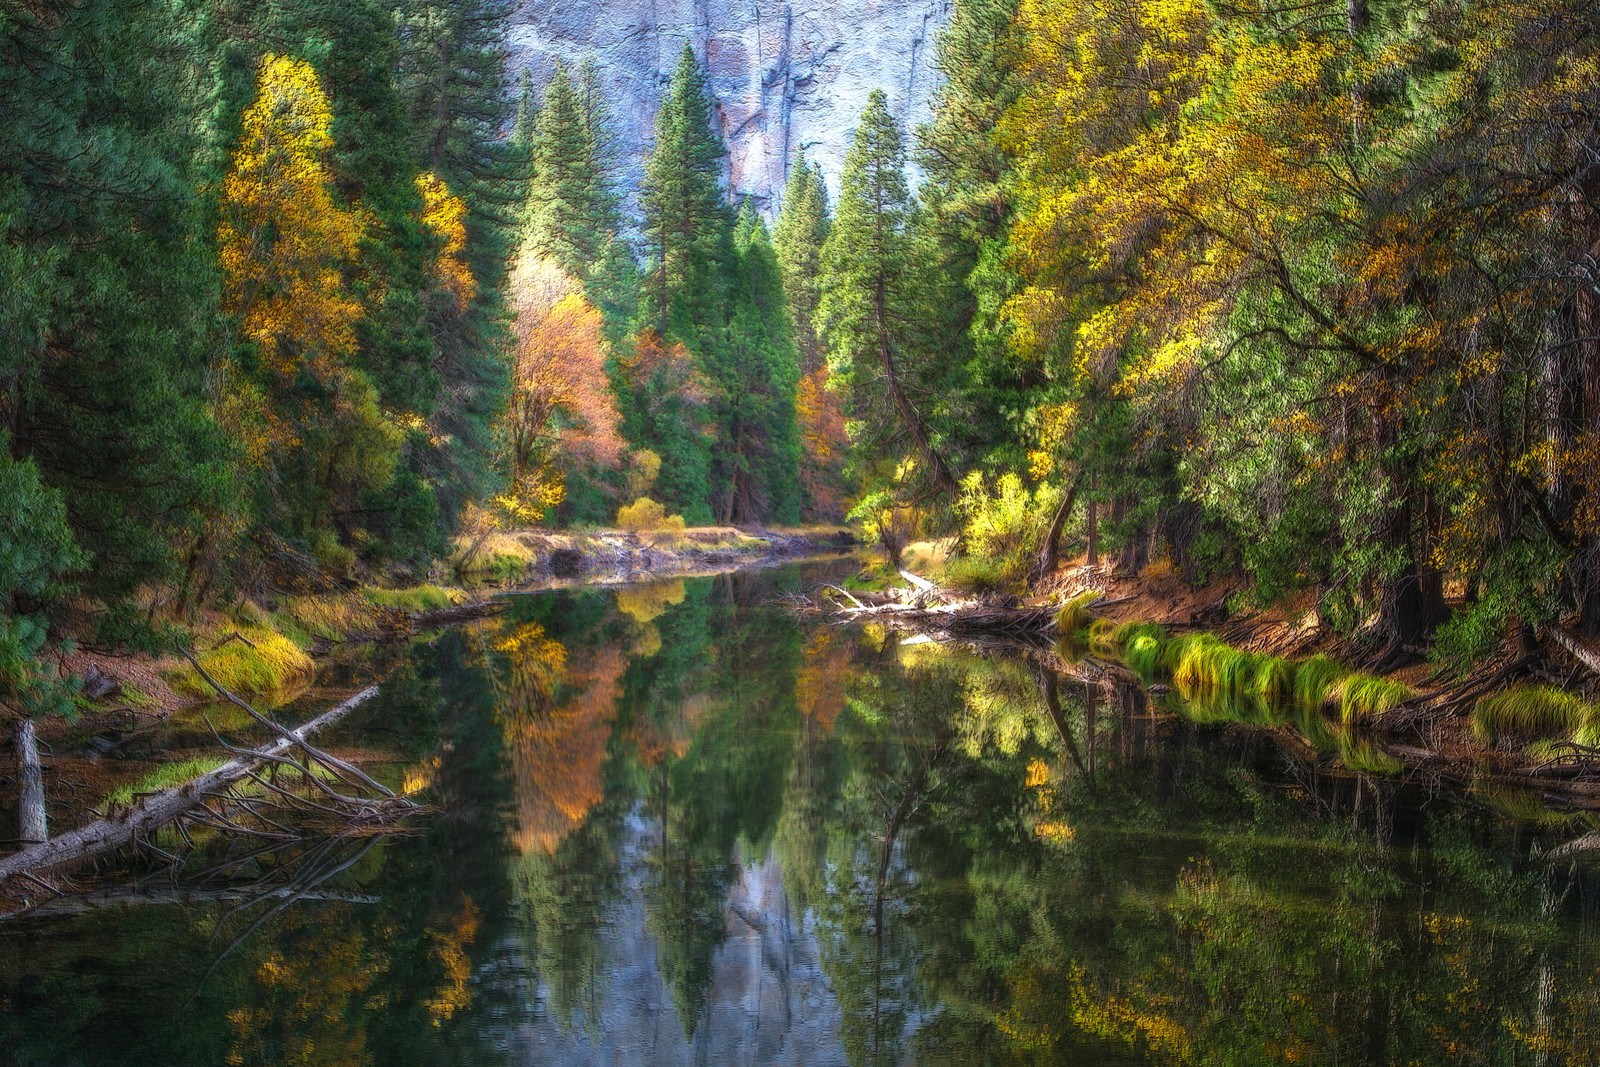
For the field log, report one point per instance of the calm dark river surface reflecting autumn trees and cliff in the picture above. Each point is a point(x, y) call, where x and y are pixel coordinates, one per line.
point(679, 826)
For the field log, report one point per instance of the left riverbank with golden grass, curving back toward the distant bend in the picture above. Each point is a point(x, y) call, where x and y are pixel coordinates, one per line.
point(143, 716)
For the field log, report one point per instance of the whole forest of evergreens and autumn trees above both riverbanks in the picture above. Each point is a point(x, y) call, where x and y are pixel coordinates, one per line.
point(1302, 297)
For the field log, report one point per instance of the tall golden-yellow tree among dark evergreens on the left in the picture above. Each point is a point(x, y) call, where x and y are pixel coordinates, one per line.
point(287, 247)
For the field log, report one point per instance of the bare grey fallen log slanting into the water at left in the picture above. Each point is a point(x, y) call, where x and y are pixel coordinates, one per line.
point(158, 810)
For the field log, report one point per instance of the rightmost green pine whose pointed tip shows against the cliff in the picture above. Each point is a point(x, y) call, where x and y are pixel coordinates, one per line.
point(871, 300)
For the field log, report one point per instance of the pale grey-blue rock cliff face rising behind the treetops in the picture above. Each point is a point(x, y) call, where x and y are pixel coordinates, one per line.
point(786, 74)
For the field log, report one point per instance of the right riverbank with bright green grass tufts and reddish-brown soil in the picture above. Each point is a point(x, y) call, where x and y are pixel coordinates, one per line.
point(1527, 717)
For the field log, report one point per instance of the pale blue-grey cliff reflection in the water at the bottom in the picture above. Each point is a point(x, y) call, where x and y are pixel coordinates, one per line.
point(769, 999)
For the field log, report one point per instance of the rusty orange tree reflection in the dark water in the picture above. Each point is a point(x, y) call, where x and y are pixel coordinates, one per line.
point(558, 756)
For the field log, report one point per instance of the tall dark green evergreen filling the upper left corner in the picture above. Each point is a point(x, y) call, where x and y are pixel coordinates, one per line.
point(110, 310)
